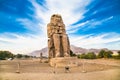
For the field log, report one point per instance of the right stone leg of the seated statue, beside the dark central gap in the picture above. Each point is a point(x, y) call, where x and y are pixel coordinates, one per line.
point(66, 45)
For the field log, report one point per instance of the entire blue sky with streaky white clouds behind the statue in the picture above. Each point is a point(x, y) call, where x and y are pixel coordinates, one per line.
point(89, 23)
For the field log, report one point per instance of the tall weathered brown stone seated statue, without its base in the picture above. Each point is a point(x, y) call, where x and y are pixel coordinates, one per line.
point(58, 42)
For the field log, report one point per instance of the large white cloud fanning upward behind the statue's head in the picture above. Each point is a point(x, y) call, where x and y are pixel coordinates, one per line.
point(71, 11)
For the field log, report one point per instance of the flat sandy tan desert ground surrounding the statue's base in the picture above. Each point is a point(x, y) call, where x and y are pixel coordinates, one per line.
point(33, 69)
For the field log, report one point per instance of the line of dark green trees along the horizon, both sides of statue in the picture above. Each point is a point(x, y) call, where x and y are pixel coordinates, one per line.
point(90, 55)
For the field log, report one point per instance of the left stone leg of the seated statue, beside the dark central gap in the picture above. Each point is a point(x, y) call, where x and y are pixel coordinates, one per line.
point(56, 39)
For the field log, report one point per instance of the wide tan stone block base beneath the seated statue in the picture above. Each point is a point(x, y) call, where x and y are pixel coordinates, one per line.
point(63, 62)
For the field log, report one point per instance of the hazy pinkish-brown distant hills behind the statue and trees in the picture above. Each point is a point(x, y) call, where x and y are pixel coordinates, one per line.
point(75, 49)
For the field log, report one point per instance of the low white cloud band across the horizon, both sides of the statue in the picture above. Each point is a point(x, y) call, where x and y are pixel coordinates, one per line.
point(26, 44)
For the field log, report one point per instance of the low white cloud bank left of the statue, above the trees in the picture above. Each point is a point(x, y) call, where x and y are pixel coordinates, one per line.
point(22, 44)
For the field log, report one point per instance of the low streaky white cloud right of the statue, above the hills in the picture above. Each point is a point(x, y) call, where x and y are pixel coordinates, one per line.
point(98, 41)
